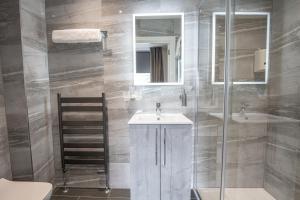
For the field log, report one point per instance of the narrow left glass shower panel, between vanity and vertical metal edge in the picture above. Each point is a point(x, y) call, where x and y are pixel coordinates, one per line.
point(210, 107)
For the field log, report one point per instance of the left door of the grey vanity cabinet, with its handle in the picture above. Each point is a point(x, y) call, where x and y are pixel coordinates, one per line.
point(145, 162)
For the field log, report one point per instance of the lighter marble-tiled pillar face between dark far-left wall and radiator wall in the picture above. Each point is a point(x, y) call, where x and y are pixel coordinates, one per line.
point(36, 84)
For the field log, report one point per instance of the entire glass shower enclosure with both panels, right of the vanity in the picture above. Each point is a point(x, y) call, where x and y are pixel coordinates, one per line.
point(247, 137)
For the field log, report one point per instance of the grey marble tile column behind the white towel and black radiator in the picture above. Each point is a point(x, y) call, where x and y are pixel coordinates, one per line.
point(74, 70)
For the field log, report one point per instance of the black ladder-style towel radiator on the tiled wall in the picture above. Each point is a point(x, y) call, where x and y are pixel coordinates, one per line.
point(84, 153)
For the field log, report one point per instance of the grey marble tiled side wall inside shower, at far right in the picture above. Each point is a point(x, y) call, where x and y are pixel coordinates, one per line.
point(282, 178)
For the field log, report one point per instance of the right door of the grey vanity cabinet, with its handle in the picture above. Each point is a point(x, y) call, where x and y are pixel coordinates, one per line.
point(176, 162)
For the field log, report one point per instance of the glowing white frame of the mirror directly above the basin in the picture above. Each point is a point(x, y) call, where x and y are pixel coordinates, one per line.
point(181, 15)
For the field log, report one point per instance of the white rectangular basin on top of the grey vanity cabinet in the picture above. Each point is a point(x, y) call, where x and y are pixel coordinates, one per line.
point(165, 118)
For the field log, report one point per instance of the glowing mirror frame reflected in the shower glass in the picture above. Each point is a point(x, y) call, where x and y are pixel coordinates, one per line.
point(215, 14)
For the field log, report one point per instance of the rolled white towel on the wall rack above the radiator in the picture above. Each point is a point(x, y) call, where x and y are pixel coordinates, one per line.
point(76, 36)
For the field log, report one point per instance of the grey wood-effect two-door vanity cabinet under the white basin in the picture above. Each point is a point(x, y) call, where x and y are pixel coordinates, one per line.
point(161, 162)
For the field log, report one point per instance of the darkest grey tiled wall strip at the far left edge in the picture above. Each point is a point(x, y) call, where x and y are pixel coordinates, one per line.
point(14, 93)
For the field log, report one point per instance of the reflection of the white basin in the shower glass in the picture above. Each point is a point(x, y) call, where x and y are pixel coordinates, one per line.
point(257, 118)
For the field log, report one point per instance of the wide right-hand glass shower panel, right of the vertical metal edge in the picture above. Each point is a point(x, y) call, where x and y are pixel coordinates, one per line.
point(262, 135)
